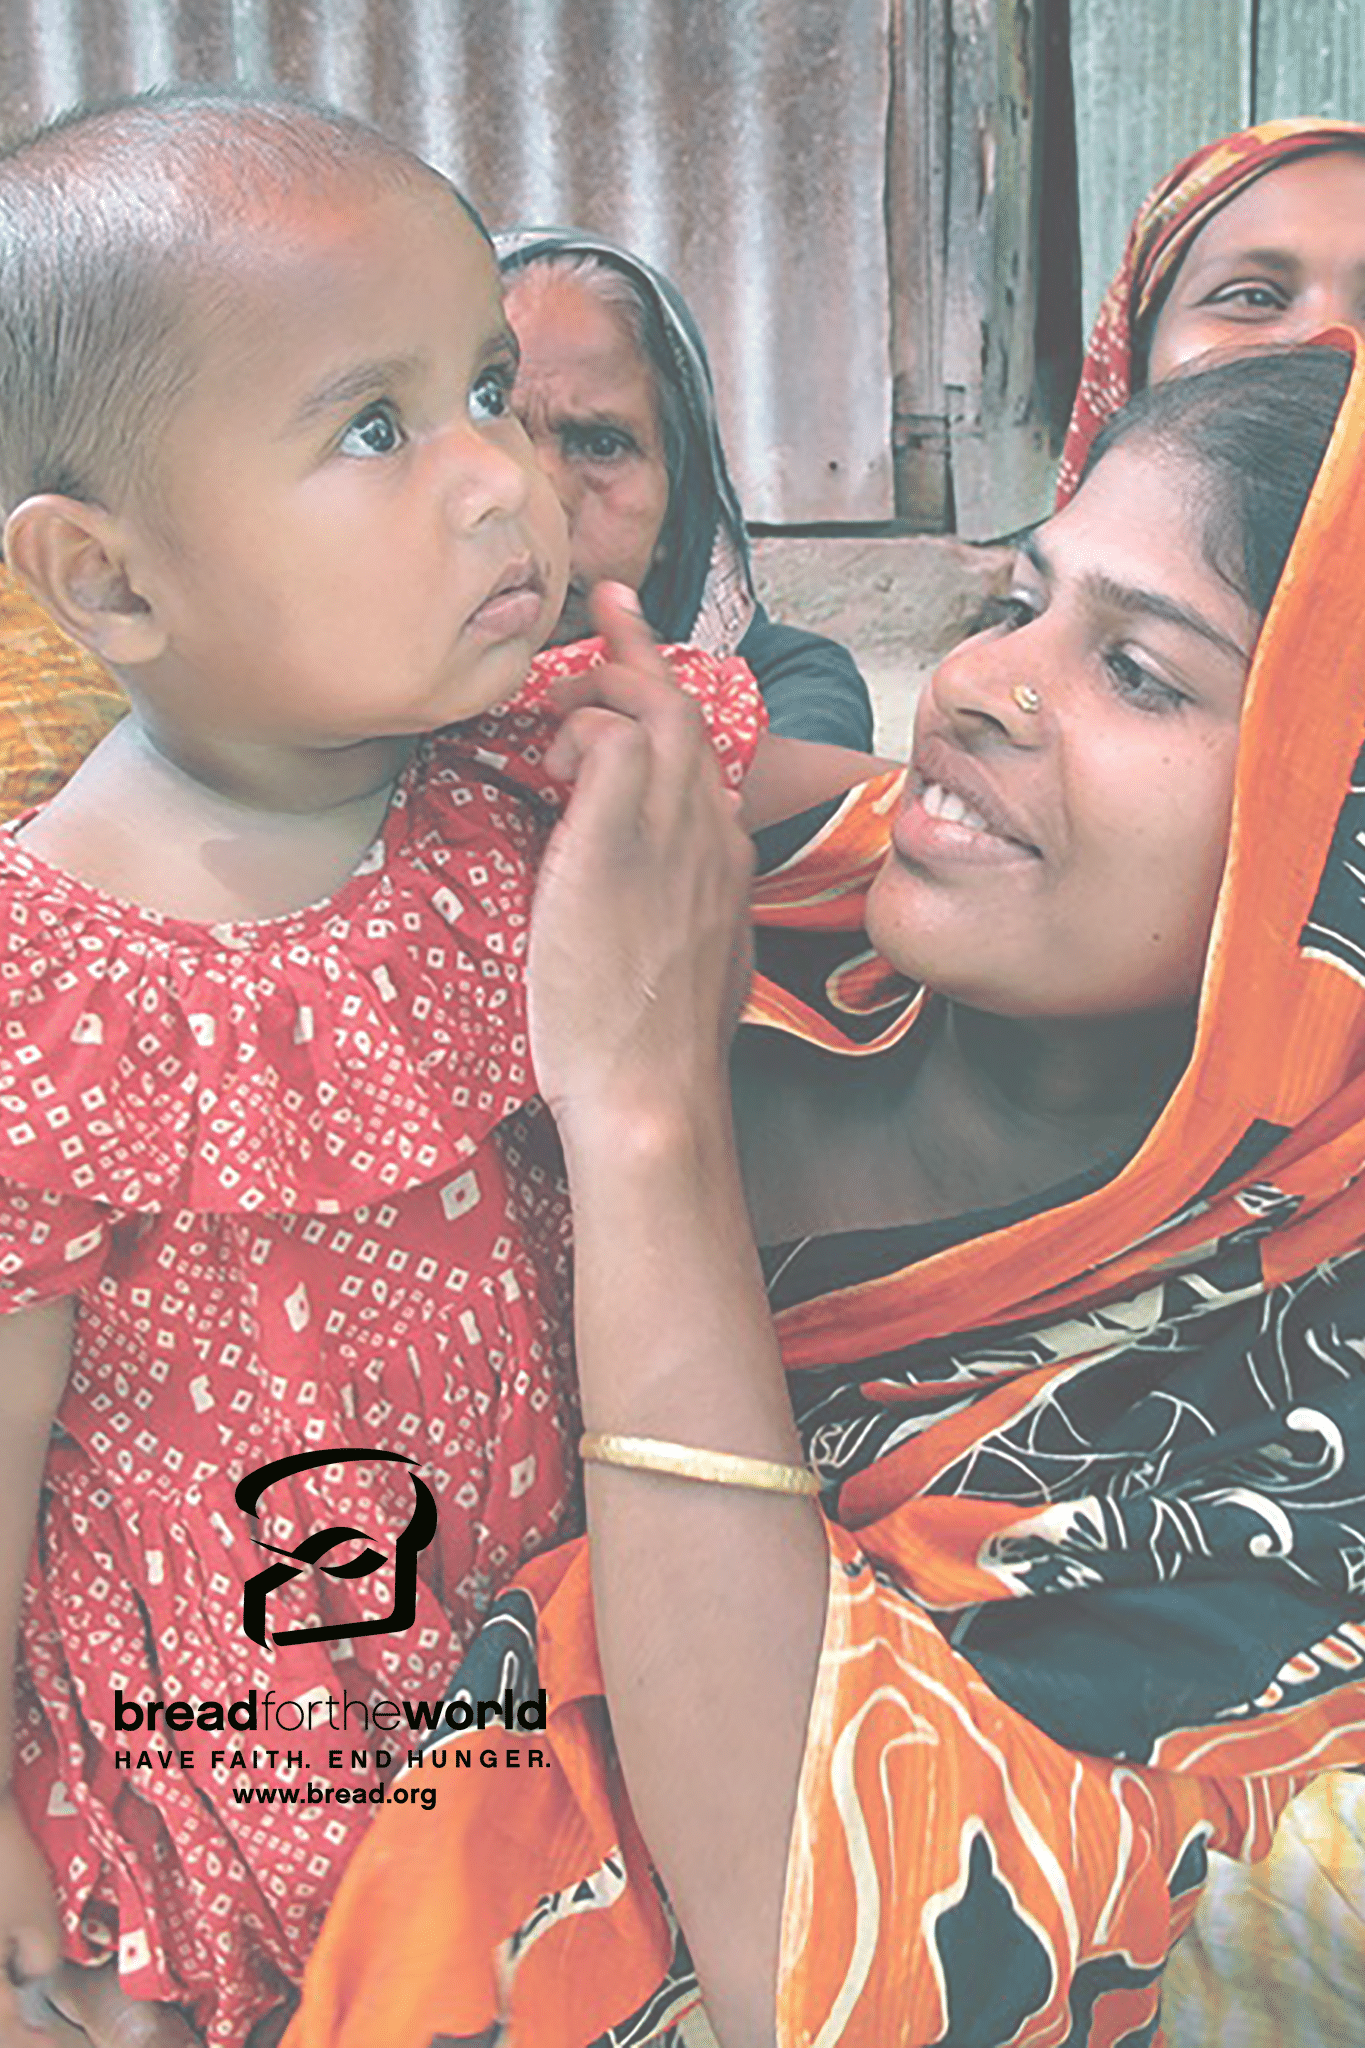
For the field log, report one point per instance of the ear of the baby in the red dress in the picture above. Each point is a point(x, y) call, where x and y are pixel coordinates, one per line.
point(73, 556)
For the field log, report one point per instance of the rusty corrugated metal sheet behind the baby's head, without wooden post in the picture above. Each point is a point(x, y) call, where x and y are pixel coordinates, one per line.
point(738, 144)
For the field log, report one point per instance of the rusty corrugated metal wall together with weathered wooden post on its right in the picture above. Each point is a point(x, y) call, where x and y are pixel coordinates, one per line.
point(842, 187)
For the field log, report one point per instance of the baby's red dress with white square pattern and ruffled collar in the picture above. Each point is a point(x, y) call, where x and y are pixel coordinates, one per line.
point(298, 1181)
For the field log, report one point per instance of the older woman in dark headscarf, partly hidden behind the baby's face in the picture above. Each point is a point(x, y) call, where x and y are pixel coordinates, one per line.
point(617, 396)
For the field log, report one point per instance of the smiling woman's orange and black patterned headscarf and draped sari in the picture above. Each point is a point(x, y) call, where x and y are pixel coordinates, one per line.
point(1098, 1537)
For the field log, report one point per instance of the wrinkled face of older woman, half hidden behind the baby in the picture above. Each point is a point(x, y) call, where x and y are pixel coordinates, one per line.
point(586, 396)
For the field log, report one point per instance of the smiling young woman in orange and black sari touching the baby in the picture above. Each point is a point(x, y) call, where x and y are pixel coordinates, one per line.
point(1069, 1293)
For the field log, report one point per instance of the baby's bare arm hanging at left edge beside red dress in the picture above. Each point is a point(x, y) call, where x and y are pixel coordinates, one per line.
point(36, 1353)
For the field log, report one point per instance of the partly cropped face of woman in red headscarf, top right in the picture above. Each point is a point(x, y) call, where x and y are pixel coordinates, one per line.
point(1278, 263)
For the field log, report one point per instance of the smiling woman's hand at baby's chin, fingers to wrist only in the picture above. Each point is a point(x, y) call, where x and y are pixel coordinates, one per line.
point(640, 931)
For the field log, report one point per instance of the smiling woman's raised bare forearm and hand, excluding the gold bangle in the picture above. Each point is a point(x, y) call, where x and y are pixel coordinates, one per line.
point(701, 1592)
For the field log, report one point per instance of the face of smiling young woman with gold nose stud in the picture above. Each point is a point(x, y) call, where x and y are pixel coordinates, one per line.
point(1065, 861)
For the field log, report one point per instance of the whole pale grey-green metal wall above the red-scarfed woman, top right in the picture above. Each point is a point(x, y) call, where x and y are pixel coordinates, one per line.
point(1163, 77)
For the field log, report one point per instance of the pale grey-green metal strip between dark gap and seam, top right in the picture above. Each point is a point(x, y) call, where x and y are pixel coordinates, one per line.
point(1151, 85)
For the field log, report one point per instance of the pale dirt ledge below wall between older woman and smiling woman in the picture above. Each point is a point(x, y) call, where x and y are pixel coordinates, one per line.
point(899, 605)
